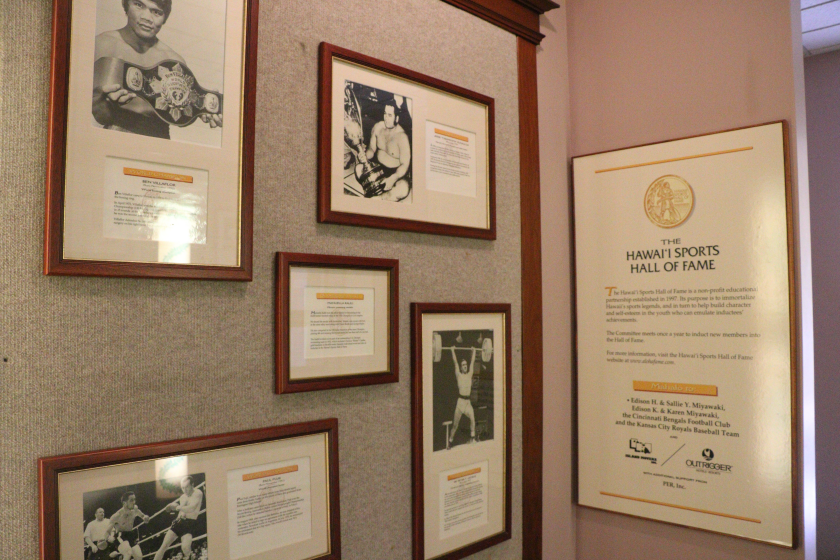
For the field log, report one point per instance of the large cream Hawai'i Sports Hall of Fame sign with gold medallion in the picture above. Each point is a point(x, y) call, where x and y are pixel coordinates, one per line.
point(686, 333)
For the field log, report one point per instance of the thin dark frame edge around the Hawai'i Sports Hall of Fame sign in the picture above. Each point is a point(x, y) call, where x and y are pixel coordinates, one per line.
point(793, 294)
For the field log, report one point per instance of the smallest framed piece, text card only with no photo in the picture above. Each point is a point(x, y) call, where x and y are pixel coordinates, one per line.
point(336, 322)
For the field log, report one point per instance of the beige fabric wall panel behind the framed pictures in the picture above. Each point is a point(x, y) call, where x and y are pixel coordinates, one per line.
point(99, 363)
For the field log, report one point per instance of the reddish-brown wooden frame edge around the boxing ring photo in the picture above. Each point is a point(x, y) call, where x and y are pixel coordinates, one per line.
point(50, 467)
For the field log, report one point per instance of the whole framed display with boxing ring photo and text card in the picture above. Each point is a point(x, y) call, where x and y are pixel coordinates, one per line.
point(266, 494)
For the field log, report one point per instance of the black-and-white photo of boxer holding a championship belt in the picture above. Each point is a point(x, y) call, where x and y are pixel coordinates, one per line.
point(158, 68)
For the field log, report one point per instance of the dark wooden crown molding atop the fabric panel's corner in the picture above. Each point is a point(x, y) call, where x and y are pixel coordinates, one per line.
point(520, 17)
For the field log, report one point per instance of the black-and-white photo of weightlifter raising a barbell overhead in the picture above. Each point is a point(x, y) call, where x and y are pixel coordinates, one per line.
point(462, 387)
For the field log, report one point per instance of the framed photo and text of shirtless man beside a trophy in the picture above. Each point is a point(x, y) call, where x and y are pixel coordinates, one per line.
point(401, 150)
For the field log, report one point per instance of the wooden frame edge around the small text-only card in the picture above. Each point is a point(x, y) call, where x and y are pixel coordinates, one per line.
point(283, 263)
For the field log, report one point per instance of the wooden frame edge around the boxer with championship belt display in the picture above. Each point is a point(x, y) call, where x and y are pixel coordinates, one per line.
point(54, 262)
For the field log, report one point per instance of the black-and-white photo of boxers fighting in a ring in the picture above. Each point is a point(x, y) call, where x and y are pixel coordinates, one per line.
point(157, 520)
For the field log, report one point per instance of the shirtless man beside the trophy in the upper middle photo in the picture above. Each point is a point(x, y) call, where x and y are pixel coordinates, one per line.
point(389, 146)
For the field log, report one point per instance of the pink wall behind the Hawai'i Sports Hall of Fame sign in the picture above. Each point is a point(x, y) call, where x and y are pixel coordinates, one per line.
point(646, 71)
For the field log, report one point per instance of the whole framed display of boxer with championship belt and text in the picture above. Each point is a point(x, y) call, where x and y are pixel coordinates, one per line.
point(151, 142)
